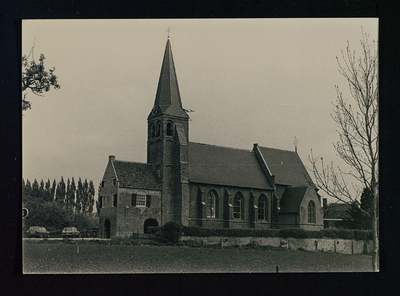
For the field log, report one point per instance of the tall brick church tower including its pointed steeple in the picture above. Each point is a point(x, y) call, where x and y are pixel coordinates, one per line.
point(167, 142)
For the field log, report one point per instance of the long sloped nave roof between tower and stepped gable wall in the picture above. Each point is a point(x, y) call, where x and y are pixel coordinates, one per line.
point(218, 165)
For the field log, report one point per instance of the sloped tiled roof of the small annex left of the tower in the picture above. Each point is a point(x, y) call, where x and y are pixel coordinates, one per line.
point(136, 175)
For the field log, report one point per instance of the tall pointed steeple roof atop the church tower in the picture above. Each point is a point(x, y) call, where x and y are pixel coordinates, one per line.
point(168, 99)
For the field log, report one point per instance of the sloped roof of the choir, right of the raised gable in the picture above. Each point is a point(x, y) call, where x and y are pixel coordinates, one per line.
point(286, 166)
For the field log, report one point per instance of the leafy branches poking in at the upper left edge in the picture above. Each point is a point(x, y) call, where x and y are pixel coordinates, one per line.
point(36, 78)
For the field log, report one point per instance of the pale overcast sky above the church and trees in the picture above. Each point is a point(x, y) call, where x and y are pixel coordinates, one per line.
point(249, 81)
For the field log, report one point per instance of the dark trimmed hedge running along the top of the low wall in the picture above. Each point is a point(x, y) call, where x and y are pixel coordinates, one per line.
point(285, 233)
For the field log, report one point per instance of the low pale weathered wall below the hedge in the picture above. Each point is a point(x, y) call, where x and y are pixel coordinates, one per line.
point(341, 246)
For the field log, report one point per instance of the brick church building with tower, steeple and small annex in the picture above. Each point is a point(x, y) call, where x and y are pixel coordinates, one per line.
point(203, 185)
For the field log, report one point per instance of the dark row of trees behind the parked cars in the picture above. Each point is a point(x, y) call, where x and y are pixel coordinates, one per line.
point(56, 205)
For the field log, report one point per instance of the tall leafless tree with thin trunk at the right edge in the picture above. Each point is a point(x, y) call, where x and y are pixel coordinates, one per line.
point(357, 121)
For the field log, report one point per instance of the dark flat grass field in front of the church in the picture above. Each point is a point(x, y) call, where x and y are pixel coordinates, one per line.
point(86, 257)
